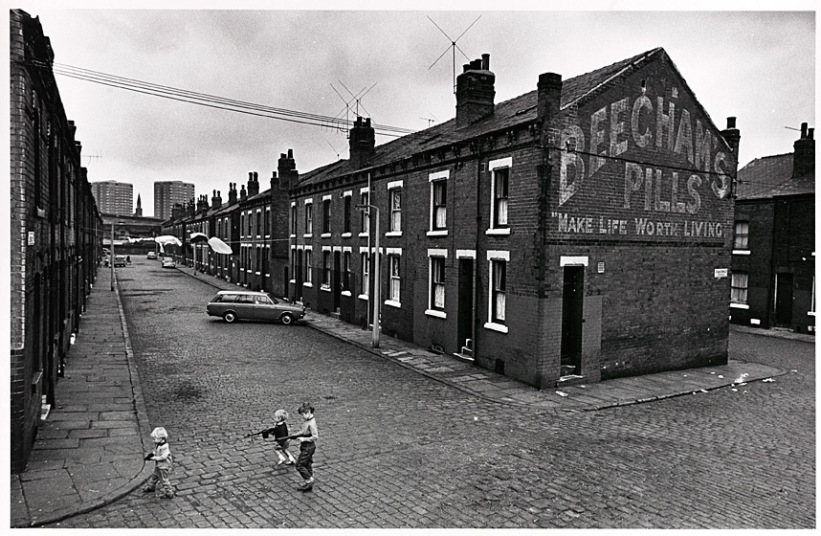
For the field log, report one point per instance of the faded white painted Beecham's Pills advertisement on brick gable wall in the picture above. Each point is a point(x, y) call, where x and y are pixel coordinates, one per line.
point(643, 167)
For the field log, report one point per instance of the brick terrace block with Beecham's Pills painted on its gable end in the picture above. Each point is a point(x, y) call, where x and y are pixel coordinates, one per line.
point(578, 232)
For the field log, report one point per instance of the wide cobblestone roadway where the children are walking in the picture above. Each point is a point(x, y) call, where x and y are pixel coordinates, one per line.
point(397, 449)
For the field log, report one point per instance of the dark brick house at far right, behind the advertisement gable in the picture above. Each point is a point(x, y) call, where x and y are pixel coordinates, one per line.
point(773, 279)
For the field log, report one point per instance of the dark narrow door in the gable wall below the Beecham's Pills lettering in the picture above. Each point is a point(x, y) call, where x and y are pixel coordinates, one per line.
point(572, 318)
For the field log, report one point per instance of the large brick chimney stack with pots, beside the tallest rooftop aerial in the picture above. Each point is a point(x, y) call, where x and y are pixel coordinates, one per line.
point(475, 91)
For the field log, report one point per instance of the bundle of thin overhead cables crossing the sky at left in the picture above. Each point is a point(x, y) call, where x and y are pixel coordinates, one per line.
point(213, 101)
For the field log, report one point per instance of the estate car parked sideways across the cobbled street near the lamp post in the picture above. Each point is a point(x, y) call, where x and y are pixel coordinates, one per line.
point(233, 305)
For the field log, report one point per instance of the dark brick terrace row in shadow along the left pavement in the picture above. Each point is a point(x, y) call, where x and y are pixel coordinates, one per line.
point(55, 233)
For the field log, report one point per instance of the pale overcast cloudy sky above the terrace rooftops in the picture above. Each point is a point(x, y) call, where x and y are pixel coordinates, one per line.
point(758, 66)
